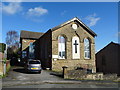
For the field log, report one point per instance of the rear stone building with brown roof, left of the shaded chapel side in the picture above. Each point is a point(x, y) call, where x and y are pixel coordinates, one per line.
point(26, 39)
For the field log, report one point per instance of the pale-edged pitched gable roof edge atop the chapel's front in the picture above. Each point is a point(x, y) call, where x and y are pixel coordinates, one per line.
point(79, 21)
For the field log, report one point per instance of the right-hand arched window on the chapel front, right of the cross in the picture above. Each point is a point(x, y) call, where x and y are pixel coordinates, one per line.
point(86, 48)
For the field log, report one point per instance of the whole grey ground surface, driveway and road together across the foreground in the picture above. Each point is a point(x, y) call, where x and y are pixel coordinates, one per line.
point(18, 78)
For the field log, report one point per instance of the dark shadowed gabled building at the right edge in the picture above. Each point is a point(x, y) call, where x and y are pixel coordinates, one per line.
point(107, 59)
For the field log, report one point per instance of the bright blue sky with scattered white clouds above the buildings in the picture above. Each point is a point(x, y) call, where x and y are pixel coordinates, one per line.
point(102, 18)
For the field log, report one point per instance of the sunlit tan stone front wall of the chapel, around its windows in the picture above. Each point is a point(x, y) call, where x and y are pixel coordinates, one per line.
point(69, 33)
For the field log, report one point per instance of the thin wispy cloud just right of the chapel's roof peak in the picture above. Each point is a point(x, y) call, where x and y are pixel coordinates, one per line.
point(92, 19)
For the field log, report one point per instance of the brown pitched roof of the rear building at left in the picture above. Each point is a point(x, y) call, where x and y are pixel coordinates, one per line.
point(30, 35)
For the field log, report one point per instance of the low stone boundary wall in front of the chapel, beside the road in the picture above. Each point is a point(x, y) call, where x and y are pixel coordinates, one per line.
point(84, 75)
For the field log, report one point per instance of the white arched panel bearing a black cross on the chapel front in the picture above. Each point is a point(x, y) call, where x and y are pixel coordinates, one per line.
point(75, 48)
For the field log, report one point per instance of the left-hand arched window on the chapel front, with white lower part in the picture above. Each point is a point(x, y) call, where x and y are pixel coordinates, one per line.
point(61, 47)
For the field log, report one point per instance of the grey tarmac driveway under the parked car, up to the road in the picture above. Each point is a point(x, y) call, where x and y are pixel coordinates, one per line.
point(19, 74)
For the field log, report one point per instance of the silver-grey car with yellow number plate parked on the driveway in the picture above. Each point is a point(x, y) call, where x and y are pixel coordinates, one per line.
point(33, 66)
